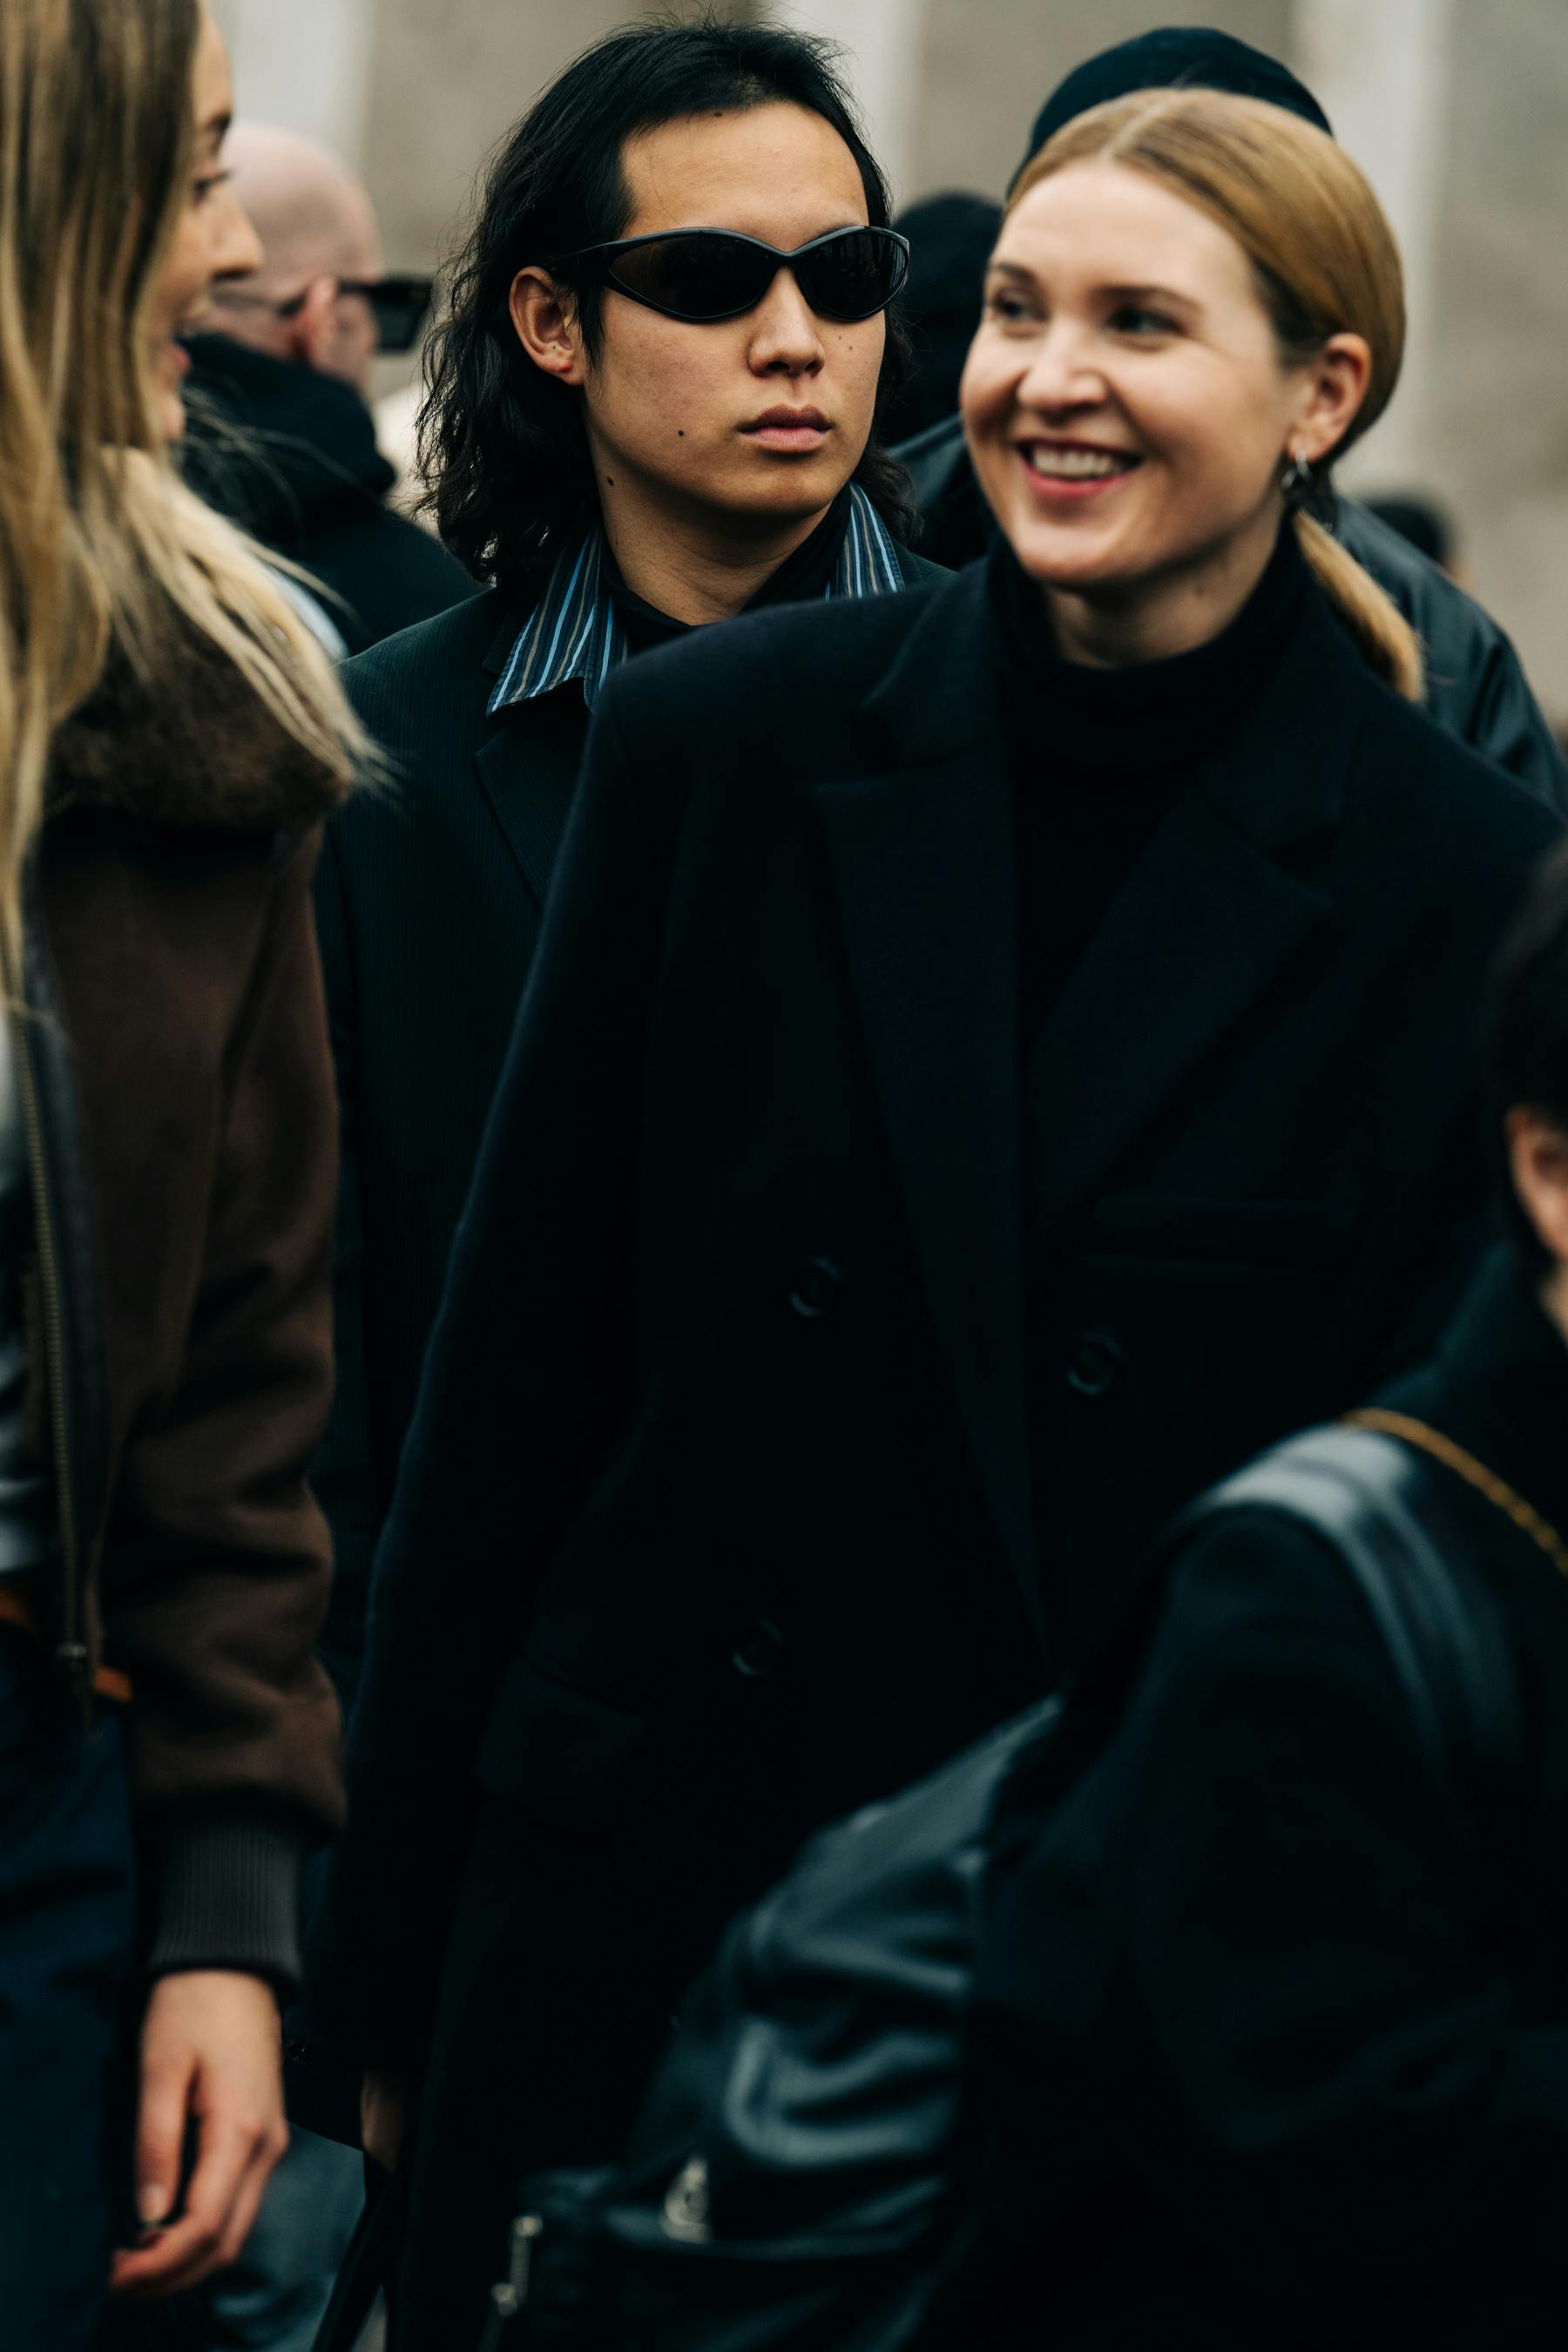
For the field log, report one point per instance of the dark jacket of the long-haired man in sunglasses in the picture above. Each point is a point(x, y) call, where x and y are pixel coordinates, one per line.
point(431, 895)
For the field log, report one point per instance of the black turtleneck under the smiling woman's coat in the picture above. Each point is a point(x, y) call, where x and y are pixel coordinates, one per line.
point(1099, 754)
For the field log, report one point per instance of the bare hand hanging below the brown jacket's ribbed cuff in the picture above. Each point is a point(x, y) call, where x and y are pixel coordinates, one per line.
point(210, 2059)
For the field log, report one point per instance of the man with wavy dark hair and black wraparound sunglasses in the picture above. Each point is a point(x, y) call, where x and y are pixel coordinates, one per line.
point(652, 406)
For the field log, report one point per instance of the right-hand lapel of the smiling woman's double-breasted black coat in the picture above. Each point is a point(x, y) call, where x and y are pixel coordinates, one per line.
point(1205, 926)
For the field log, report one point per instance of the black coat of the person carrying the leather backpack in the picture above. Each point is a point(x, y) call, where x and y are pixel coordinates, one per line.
point(1273, 2022)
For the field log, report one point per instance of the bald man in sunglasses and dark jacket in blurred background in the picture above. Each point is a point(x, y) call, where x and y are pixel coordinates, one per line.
point(290, 366)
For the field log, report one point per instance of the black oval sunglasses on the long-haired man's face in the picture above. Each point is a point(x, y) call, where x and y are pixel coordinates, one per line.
point(711, 274)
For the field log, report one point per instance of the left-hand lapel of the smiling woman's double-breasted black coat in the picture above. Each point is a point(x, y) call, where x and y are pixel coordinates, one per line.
point(923, 864)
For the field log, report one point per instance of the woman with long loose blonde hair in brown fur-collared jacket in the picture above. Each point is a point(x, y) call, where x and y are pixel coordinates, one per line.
point(170, 740)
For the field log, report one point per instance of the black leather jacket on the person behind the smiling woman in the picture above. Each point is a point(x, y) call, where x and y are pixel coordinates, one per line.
point(1475, 683)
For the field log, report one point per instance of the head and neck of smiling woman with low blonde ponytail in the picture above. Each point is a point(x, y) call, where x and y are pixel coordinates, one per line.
point(1141, 436)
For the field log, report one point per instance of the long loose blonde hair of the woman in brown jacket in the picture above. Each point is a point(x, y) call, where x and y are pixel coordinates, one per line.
point(102, 549)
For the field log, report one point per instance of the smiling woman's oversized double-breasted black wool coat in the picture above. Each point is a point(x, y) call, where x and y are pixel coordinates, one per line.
point(716, 1516)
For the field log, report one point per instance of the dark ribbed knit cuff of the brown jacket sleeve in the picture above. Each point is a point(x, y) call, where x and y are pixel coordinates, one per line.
point(225, 1885)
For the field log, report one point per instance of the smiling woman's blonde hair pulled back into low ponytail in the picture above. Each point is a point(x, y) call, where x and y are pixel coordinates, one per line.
point(1325, 260)
